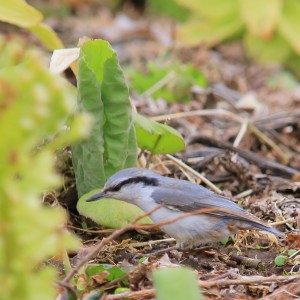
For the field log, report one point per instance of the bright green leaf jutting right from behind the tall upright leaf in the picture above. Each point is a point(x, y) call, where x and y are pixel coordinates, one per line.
point(156, 137)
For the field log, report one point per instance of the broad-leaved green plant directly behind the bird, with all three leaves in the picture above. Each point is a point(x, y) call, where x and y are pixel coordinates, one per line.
point(112, 144)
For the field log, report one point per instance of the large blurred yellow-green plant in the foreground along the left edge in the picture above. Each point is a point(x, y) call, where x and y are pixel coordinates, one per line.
point(35, 106)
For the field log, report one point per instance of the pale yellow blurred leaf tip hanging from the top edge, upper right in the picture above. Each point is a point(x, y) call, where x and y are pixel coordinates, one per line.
point(261, 16)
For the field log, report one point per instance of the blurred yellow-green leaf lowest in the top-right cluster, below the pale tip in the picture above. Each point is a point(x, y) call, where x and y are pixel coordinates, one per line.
point(267, 51)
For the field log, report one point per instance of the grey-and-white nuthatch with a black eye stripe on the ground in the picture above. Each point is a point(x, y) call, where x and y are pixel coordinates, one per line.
point(173, 198)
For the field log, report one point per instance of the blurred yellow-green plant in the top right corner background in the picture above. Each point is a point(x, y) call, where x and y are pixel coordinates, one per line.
point(270, 29)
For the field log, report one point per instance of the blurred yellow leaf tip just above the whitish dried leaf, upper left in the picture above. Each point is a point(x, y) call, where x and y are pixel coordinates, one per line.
point(47, 36)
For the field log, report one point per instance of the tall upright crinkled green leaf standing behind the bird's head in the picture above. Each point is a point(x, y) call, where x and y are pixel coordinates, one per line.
point(102, 92)
